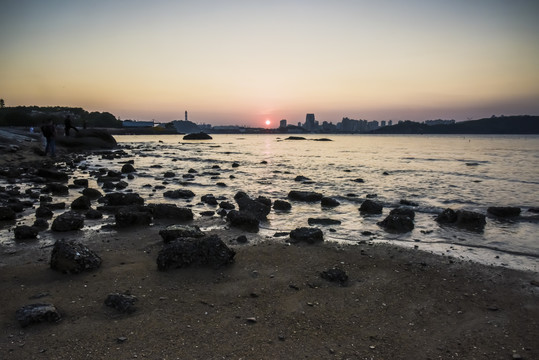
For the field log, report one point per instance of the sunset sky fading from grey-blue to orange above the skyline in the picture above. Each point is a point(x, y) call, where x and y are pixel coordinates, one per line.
point(242, 62)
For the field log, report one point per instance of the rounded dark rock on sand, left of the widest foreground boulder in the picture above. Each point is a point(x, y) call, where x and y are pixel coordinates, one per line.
point(73, 257)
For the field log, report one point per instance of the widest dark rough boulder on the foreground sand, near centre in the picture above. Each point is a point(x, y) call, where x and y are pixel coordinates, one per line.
point(185, 252)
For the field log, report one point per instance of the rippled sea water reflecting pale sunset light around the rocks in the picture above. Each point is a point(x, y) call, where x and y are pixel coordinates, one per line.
point(436, 172)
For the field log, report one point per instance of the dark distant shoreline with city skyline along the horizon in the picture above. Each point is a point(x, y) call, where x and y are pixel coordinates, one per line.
point(33, 116)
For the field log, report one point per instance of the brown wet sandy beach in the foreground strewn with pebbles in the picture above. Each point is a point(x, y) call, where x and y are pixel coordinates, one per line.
point(271, 303)
